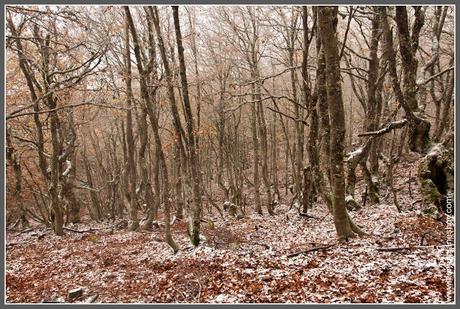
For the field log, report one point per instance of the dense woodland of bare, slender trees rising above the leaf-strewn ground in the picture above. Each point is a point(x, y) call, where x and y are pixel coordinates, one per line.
point(146, 116)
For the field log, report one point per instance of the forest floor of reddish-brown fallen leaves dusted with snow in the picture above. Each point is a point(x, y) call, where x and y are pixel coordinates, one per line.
point(406, 258)
